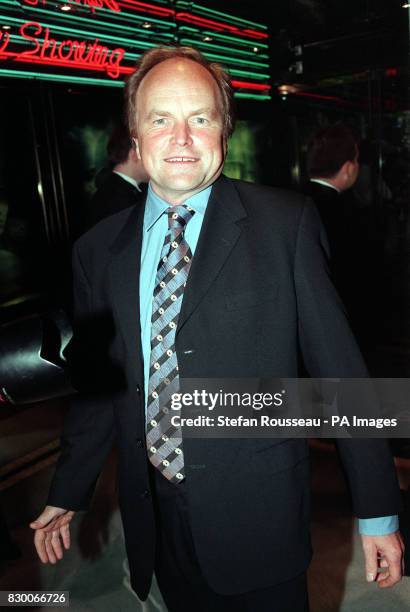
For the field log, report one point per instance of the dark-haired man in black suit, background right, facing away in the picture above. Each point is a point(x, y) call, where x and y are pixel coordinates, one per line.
point(333, 167)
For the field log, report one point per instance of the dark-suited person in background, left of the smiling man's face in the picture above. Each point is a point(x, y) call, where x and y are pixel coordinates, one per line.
point(124, 183)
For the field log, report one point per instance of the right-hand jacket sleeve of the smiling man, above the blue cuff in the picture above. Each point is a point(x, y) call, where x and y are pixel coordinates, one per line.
point(329, 350)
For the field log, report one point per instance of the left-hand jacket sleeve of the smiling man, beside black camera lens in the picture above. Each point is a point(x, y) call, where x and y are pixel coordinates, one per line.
point(88, 431)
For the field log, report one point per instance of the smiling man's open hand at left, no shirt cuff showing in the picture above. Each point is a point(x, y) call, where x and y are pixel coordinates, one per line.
point(52, 524)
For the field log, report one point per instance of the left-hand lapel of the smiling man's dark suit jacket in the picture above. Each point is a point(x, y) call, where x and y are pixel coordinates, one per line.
point(124, 271)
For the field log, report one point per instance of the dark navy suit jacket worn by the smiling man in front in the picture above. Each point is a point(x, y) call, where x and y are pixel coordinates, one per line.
point(258, 292)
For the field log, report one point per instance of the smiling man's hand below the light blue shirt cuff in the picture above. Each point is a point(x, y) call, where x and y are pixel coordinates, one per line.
point(384, 552)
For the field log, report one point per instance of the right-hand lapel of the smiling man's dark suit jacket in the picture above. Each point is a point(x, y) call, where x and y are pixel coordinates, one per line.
point(219, 234)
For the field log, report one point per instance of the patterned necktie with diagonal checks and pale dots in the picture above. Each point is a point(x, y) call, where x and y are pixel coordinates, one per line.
point(164, 441)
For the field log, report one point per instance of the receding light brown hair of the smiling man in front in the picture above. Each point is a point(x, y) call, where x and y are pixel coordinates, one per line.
point(155, 56)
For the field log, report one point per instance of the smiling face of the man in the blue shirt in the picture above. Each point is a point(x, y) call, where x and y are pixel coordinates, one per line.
point(179, 129)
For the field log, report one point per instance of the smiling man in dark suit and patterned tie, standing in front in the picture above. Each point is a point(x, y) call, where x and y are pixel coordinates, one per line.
point(212, 278)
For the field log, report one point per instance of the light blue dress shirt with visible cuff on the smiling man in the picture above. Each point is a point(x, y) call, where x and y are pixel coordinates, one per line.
point(154, 232)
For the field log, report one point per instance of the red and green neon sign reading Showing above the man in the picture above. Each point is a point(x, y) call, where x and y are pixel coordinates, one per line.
point(87, 48)
